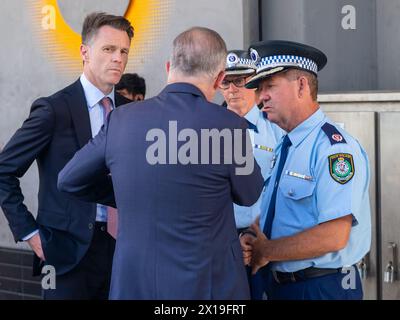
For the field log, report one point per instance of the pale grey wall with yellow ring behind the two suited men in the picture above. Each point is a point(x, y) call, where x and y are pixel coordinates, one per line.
point(30, 67)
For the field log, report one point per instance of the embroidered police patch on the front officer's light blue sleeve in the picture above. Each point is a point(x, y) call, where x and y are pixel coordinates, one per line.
point(341, 167)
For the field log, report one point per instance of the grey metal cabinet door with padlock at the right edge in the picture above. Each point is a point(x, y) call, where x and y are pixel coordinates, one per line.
point(390, 201)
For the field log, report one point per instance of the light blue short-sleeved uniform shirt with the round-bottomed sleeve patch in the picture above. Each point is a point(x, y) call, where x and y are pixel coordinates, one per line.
point(316, 186)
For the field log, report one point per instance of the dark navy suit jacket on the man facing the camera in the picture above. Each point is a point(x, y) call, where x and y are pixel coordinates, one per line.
point(56, 128)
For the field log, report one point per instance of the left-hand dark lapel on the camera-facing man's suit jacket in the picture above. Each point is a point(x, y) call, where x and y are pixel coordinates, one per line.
point(76, 102)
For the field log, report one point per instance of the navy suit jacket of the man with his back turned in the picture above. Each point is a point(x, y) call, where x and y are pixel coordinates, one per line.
point(176, 237)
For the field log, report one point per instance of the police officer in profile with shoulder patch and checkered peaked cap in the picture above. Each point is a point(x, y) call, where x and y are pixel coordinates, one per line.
point(315, 223)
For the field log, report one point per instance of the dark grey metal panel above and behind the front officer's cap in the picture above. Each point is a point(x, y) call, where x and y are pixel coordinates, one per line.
point(352, 53)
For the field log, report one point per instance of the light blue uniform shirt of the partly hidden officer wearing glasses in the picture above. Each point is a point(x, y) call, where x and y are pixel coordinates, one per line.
point(264, 137)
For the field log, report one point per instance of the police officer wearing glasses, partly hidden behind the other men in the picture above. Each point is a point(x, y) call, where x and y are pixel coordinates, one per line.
point(264, 135)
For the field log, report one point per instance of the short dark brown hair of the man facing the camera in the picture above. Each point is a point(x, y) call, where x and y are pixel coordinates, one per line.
point(94, 21)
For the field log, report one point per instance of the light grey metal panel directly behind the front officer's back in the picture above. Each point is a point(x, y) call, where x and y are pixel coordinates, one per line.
point(361, 125)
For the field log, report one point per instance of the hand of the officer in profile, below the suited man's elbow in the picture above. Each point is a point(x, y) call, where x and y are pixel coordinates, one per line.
point(259, 247)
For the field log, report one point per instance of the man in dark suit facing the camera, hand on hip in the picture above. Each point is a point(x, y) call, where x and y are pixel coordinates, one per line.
point(68, 234)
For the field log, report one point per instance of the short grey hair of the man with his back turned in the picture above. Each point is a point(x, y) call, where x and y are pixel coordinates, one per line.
point(198, 51)
